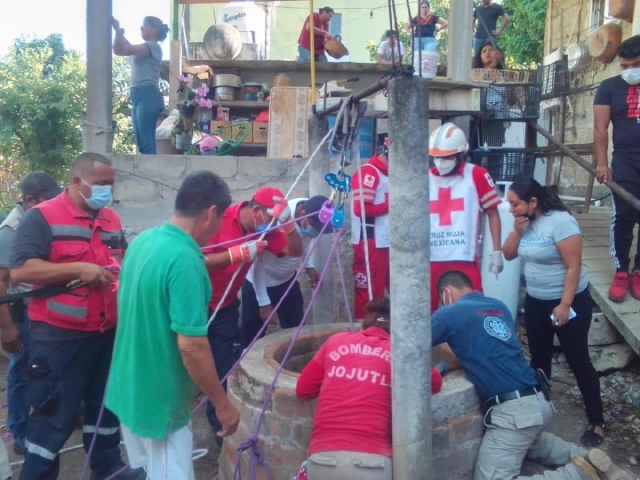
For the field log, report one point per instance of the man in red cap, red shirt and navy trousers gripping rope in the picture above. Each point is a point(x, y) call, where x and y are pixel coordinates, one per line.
point(229, 263)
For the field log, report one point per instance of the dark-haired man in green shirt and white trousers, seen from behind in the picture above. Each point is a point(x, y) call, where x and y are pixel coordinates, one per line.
point(161, 346)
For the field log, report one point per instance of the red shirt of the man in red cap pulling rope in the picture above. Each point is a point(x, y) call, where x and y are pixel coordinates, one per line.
point(231, 229)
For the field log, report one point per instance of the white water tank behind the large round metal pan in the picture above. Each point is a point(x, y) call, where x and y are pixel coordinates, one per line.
point(249, 19)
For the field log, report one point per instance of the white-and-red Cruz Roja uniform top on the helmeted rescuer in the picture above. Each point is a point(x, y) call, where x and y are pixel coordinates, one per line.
point(456, 203)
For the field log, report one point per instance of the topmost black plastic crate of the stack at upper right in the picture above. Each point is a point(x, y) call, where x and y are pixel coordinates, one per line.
point(511, 101)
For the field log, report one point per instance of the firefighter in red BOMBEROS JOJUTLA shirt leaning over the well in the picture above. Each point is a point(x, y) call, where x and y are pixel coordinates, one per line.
point(351, 377)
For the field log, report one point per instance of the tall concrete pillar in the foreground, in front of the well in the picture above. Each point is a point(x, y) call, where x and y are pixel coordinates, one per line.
point(410, 279)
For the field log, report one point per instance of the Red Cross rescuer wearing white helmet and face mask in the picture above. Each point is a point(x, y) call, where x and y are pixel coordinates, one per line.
point(458, 194)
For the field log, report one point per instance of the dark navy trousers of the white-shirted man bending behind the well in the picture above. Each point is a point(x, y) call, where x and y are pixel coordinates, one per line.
point(290, 312)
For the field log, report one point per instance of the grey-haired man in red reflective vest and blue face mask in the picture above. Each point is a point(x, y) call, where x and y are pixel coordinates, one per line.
point(72, 237)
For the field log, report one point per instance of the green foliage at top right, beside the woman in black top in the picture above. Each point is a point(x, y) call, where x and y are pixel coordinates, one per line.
point(522, 41)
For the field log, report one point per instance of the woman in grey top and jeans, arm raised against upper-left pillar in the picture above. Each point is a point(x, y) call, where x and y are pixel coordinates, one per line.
point(145, 60)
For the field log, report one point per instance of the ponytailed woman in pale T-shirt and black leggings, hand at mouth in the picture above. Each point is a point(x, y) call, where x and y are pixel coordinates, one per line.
point(547, 238)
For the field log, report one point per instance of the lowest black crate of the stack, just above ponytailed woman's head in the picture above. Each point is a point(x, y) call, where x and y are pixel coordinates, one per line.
point(504, 164)
